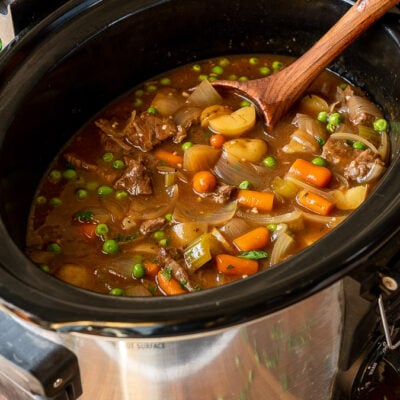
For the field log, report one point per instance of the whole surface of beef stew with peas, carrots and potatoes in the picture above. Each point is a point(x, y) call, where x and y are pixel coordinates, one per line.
point(177, 187)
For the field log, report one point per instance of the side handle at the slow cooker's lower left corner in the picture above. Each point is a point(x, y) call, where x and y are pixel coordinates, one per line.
point(34, 367)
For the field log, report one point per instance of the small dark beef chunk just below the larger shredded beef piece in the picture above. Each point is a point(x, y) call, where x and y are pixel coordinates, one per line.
point(136, 178)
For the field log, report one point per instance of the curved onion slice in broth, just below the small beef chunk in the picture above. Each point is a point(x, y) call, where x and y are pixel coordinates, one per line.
point(148, 210)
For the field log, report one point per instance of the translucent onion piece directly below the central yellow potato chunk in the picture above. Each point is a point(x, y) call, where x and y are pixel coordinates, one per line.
point(233, 171)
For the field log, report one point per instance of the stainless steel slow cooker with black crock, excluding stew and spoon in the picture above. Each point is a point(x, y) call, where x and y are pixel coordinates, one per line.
point(321, 325)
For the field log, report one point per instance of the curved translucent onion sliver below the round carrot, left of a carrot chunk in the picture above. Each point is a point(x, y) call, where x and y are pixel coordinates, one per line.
point(217, 217)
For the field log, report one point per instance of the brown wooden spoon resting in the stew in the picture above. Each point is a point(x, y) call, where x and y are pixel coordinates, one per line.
point(275, 94)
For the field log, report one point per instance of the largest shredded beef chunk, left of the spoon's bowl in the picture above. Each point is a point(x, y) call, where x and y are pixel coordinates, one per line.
point(148, 130)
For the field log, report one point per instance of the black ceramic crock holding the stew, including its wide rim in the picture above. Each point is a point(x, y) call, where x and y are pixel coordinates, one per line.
point(55, 76)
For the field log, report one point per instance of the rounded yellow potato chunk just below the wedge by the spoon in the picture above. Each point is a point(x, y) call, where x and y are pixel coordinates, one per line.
point(252, 150)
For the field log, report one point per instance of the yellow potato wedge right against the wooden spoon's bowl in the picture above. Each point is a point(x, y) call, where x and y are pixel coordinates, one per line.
point(235, 124)
